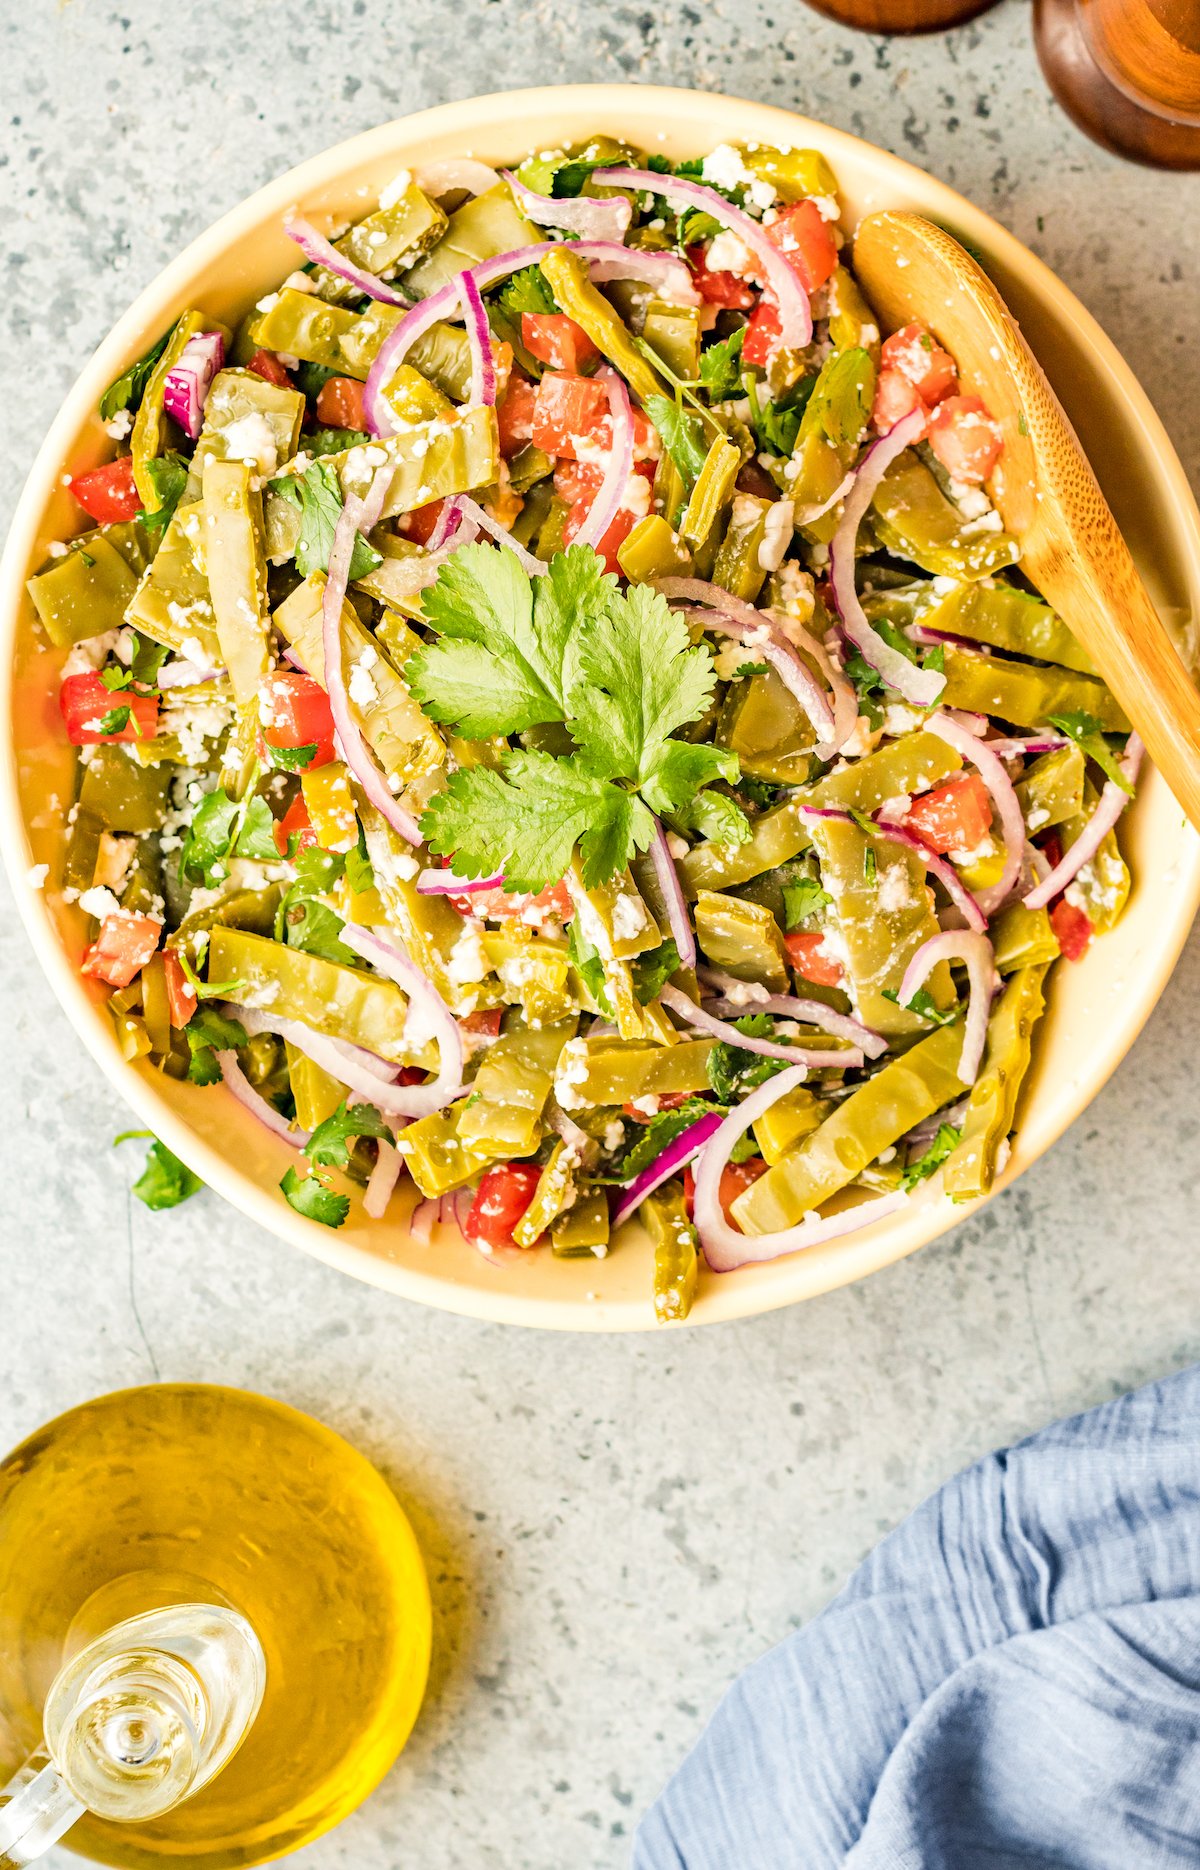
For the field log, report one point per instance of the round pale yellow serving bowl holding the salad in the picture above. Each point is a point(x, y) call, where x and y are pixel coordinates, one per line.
point(1096, 1007)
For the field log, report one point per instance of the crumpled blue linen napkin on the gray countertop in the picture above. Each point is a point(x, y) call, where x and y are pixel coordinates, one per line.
point(1010, 1680)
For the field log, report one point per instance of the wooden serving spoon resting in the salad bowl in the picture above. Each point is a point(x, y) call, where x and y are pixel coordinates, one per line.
point(1044, 487)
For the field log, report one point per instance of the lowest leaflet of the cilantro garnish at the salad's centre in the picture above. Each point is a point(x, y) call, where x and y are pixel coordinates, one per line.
point(530, 820)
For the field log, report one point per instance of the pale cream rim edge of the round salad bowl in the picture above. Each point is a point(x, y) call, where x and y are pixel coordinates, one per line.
point(496, 115)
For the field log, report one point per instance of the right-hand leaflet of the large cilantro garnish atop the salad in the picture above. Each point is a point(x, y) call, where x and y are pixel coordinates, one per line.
point(642, 682)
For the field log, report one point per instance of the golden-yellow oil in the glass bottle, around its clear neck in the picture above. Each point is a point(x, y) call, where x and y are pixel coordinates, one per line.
point(190, 1491)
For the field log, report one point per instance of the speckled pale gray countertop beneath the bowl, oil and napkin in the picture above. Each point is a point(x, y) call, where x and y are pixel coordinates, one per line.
point(614, 1527)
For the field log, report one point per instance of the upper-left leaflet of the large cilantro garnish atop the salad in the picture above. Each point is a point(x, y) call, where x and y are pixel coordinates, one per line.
point(506, 654)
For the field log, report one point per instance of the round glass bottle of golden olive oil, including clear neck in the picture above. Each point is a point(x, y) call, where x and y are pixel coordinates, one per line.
point(214, 1630)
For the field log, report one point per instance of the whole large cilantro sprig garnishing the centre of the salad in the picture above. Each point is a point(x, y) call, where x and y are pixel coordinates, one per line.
point(618, 670)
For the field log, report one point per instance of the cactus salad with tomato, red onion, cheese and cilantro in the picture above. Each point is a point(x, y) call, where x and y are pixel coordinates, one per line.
point(562, 721)
